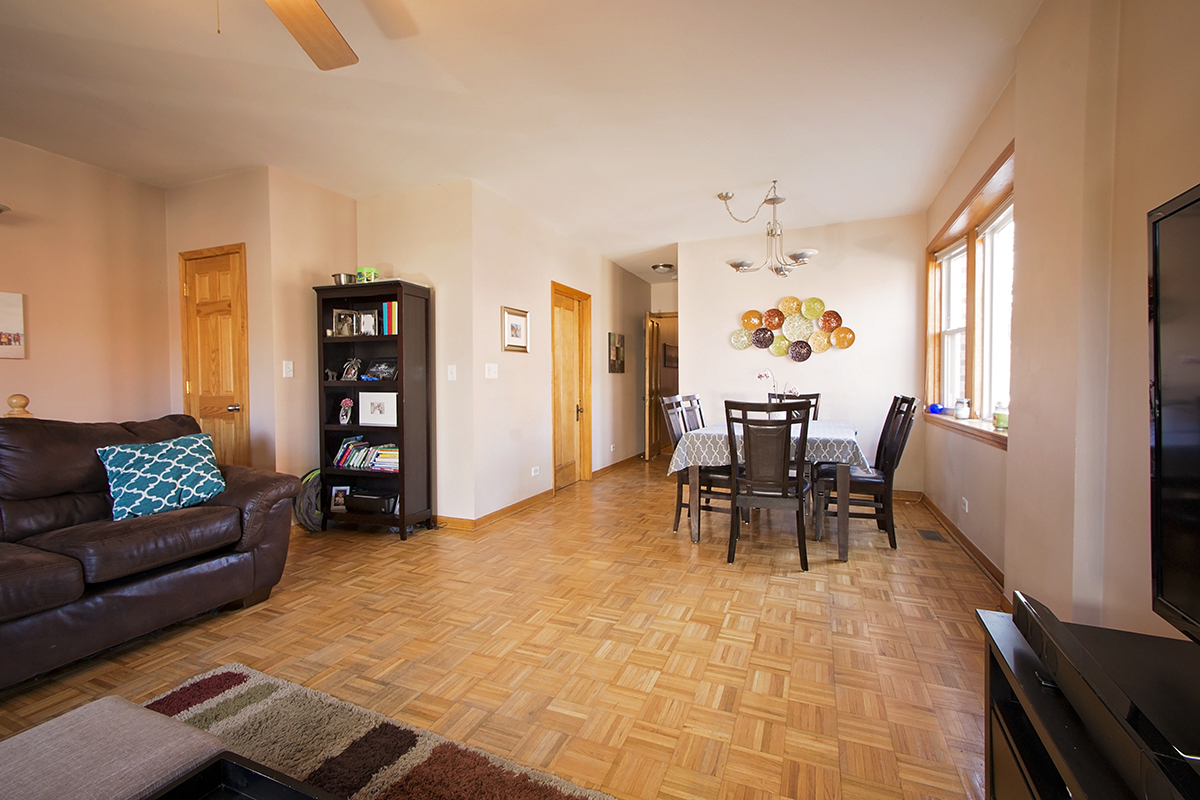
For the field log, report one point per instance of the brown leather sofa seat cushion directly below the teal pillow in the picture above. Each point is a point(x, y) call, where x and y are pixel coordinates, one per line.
point(112, 550)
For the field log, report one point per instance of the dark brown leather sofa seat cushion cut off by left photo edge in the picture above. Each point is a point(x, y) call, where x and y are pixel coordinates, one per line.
point(33, 581)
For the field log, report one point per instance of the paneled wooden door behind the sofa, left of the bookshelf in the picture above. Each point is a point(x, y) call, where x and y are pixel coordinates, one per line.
point(217, 351)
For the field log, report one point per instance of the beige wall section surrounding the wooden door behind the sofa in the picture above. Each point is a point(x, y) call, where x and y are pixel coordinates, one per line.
point(226, 212)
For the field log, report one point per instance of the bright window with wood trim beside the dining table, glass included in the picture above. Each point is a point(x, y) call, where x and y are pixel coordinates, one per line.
point(970, 297)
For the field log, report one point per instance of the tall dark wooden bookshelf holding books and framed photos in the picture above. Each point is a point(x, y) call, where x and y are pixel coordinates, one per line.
point(413, 434)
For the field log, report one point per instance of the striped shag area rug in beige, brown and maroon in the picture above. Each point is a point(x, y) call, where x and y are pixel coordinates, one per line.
point(345, 749)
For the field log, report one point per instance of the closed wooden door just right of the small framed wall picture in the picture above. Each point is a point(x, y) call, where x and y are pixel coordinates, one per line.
point(572, 336)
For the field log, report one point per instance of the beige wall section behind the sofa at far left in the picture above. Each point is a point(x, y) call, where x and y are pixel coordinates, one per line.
point(86, 248)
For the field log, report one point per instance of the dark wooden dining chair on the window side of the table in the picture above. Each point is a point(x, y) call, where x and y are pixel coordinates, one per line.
point(871, 489)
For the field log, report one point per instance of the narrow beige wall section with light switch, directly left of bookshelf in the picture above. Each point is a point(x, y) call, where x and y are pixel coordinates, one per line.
point(314, 236)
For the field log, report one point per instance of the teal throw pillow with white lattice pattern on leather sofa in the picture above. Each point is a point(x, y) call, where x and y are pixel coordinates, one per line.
point(161, 477)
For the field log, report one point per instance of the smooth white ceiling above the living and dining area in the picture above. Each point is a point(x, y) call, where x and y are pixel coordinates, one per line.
point(616, 122)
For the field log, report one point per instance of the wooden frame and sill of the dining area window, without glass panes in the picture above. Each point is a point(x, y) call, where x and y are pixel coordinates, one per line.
point(982, 206)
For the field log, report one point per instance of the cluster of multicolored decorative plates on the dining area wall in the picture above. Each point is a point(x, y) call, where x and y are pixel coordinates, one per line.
point(795, 329)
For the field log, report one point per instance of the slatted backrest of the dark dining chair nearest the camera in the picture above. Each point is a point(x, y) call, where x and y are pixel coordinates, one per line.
point(769, 462)
